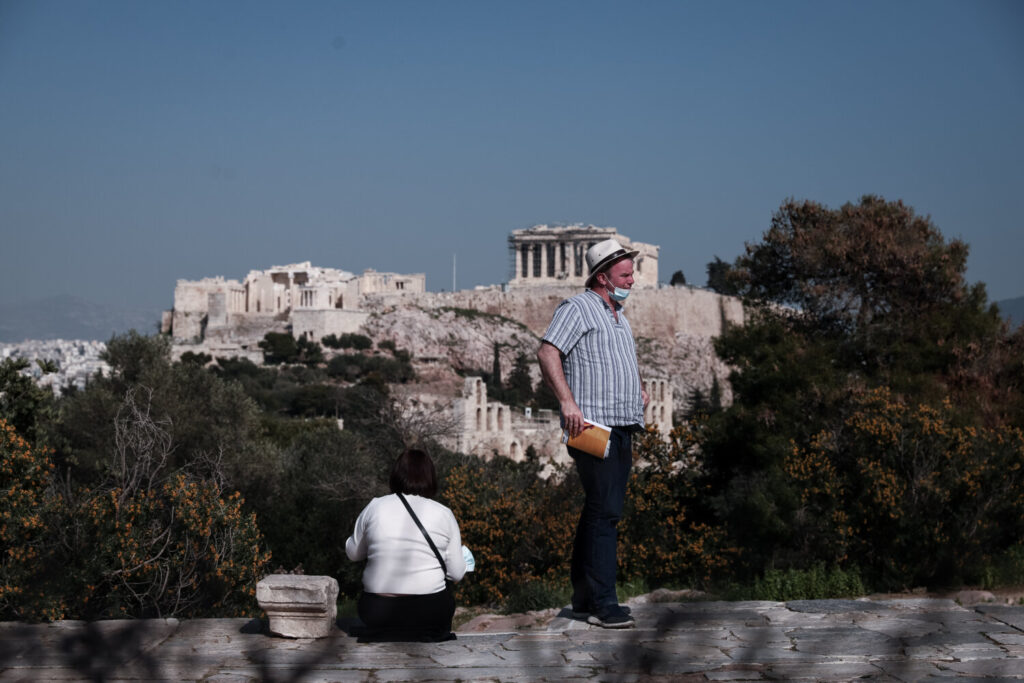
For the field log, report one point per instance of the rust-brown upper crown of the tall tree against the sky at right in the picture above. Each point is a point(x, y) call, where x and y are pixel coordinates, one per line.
point(879, 283)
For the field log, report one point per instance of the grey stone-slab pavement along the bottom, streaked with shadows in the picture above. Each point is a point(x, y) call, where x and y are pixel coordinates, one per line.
point(815, 641)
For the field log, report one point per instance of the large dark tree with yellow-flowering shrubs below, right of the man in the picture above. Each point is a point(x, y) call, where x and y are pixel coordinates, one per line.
point(842, 304)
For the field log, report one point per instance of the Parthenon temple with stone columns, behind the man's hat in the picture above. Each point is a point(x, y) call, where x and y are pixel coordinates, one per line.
point(556, 255)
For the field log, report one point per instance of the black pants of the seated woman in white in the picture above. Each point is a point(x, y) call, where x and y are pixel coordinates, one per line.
point(416, 617)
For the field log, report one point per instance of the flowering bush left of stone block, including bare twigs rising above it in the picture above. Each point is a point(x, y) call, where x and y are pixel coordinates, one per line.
point(152, 542)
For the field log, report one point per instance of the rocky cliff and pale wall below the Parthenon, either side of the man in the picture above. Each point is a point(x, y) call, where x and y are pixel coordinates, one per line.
point(674, 327)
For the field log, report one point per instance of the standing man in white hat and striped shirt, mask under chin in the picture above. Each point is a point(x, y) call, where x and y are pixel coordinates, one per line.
point(589, 360)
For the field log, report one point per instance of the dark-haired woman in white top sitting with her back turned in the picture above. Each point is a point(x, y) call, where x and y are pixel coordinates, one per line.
point(406, 589)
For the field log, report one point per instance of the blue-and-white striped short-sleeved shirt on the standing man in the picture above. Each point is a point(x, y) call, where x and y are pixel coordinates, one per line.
point(600, 360)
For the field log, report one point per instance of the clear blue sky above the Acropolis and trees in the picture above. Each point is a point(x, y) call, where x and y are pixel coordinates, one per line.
point(144, 142)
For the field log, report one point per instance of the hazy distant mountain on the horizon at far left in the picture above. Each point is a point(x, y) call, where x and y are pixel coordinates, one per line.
point(71, 318)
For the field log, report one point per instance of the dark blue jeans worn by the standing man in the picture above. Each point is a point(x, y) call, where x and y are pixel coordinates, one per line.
point(594, 551)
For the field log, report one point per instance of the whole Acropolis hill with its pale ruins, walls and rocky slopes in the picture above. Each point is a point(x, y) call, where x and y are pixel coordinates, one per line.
point(457, 331)
